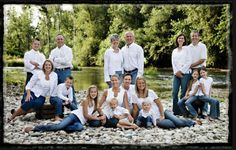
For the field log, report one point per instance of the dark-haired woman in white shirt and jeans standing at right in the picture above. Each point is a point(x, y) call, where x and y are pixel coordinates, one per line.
point(181, 62)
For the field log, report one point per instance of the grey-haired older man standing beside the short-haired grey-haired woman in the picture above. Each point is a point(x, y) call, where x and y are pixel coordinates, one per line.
point(133, 57)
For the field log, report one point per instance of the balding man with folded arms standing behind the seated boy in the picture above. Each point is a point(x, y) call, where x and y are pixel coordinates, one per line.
point(62, 56)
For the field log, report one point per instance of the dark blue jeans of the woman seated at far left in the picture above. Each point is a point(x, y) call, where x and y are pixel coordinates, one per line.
point(36, 103)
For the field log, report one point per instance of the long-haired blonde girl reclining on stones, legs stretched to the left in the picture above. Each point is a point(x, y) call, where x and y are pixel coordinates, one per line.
point(77, 118)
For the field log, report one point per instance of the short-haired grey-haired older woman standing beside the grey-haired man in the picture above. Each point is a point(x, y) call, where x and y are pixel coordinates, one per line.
point(113, 61)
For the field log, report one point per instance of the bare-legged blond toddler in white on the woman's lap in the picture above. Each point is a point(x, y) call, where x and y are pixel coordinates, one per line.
point(121, 114)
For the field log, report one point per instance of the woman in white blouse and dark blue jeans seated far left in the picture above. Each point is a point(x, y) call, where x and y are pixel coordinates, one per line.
point(43, 83)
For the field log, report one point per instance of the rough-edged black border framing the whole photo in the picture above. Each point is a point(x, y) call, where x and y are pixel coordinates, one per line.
point(196, 146)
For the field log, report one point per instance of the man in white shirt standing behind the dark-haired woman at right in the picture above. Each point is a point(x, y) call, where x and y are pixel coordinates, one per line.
point(198, 51)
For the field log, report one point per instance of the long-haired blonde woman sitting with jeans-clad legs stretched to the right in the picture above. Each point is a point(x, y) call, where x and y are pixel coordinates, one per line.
point(165, 119)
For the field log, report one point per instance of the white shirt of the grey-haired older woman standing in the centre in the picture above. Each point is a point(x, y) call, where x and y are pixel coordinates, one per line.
point(112, 62)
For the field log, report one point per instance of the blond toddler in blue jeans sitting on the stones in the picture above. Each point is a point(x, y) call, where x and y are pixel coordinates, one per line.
point(146, 117)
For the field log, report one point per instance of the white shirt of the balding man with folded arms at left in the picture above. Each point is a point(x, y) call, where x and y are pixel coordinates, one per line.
point(61, 57)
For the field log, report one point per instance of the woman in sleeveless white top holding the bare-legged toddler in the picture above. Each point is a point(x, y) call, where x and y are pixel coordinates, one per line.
point(115, 92)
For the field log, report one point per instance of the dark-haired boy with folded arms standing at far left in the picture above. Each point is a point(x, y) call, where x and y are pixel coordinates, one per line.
point(33, 60)
